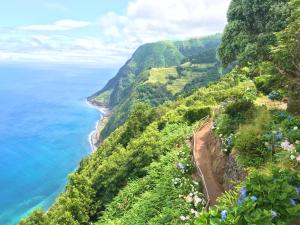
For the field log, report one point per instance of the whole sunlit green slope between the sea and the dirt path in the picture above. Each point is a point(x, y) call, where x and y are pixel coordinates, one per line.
point(142, 172)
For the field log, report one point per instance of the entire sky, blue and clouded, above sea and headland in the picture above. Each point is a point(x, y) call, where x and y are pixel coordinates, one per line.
point(99, 33)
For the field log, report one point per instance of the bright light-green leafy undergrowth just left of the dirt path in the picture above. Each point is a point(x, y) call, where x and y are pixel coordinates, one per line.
point(157, 197)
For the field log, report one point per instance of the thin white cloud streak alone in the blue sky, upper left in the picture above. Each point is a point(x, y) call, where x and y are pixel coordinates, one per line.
point(61, 25)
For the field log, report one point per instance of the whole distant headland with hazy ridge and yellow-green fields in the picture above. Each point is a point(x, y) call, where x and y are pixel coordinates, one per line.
point(158, 73)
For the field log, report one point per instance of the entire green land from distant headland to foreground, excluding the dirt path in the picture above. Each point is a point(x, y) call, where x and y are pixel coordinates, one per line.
point(143, 172)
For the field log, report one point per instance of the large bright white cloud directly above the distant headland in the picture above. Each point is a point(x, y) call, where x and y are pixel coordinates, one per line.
point(148, 20)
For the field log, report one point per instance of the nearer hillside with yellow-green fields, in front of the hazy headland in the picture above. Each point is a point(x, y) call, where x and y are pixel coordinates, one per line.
point(160, 85)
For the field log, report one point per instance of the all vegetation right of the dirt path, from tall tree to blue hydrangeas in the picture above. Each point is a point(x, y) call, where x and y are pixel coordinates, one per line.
point(263, 138)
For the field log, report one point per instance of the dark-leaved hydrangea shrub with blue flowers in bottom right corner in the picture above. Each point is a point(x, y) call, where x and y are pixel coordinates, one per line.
point(265, 199)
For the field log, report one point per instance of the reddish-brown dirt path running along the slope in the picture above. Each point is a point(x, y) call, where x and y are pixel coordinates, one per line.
point(203, 160)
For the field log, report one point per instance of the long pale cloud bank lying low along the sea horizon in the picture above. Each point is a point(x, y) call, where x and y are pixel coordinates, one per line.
point(61, 49)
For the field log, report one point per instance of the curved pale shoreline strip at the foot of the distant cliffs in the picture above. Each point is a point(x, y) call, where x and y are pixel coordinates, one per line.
point(94, 136)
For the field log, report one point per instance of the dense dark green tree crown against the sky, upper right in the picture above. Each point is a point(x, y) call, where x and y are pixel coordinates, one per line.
point(250, 30)
